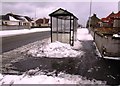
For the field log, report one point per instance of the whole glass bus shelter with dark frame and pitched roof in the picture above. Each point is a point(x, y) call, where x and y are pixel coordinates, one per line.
point(63, 26)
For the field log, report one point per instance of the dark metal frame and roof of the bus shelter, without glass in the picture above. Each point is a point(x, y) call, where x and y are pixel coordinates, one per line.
point(66, 16)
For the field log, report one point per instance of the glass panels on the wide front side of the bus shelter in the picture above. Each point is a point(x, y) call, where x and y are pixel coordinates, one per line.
point(60, 30)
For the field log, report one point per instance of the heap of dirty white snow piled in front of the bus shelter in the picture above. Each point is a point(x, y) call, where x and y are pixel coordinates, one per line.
point(55, 50)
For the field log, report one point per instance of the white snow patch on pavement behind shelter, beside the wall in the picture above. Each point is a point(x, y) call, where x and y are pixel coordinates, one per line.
point(83, 34)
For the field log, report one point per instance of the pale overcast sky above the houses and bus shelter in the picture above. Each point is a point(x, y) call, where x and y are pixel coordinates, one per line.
point(43, 9)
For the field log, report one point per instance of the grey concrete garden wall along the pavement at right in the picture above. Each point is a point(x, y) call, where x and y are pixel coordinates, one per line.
point(111, 45)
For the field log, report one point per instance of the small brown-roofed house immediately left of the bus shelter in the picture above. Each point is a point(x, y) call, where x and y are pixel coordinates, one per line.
point(42, 22)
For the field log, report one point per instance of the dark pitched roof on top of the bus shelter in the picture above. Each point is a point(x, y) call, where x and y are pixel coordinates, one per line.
point(62, 14)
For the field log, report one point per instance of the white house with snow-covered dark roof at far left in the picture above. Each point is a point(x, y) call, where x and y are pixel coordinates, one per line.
point(13, 20)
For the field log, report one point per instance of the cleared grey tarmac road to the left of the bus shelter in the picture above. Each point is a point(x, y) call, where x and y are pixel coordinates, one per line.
point(12, 42)
